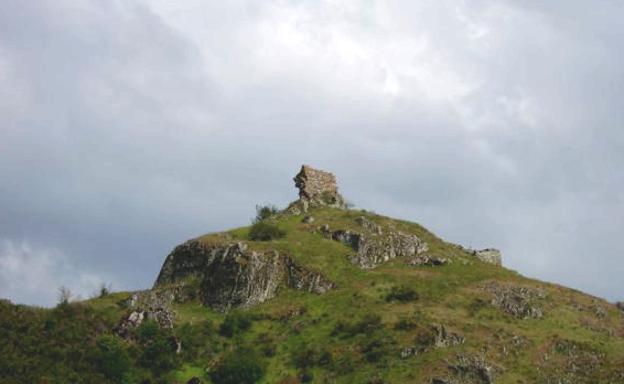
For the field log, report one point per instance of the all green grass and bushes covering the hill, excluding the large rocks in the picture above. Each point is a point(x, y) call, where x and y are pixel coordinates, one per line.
point(375, 327)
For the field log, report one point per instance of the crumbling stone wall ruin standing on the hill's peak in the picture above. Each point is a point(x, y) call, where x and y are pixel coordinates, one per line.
point(317, 188)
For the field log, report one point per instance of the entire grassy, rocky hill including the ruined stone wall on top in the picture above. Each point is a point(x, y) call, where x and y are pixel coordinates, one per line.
point(320, 292)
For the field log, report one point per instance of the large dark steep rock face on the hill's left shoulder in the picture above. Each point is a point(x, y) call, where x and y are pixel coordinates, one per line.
point(231, 276)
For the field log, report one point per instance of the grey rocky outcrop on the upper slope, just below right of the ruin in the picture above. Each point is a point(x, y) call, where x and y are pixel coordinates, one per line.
point(374, 248)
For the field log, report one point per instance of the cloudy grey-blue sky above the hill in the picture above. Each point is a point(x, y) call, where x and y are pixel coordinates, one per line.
point(127, 127)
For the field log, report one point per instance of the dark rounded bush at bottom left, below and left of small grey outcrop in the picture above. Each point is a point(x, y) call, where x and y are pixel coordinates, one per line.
point(111, 358)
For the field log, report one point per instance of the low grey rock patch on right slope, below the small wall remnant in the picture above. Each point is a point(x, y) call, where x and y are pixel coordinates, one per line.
point(521, 302)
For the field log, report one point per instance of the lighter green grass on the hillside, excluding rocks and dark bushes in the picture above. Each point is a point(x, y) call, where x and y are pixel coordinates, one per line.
point(449, 295)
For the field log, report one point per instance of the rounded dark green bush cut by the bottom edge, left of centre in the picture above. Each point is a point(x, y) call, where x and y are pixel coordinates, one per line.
point(239, 367)
